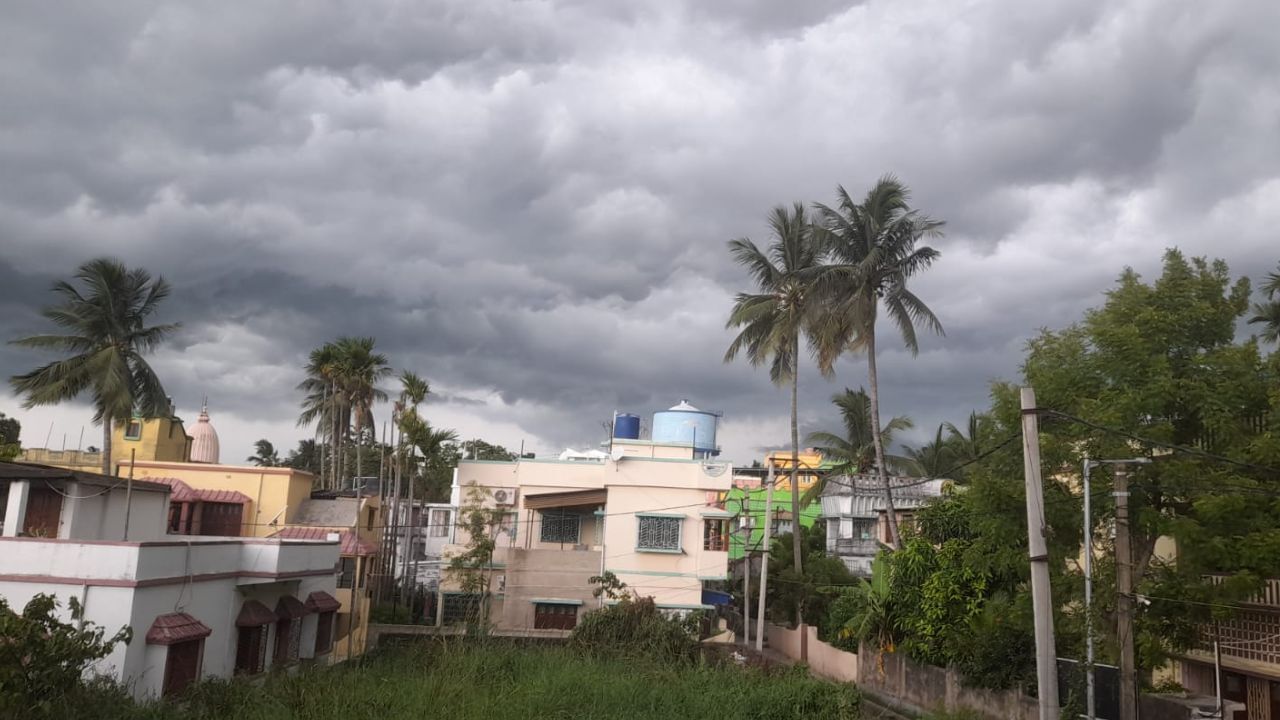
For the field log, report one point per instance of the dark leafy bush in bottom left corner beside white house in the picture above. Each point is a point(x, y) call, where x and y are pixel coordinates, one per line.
point(44, 659)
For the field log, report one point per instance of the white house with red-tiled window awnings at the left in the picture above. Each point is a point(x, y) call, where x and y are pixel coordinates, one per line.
point(199, 607)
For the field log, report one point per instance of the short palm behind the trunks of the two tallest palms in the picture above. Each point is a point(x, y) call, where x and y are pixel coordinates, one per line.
point(856, 450)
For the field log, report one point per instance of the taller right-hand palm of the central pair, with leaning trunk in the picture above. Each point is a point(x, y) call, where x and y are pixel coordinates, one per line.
point(875, 253)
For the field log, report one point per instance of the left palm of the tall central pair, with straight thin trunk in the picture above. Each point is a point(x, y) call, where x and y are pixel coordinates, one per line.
point(772, 320)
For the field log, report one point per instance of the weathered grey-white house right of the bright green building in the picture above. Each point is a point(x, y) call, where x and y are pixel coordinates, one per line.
point(857, 517)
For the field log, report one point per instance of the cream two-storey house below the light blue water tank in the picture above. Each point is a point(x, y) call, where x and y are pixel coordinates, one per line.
point(648, 512)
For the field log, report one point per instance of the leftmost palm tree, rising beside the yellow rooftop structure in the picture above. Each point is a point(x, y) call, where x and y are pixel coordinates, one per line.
point(104, 332)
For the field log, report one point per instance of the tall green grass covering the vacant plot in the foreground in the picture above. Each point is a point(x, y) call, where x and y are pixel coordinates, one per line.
point(491, 681)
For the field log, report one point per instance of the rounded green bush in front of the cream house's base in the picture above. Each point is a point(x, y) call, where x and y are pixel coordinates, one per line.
point(636, 627)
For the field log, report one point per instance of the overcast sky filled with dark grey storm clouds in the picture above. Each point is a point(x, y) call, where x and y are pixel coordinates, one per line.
point(529, 203)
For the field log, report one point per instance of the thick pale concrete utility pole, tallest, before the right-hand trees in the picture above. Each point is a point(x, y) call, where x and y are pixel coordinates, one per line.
point(1043, 601)
